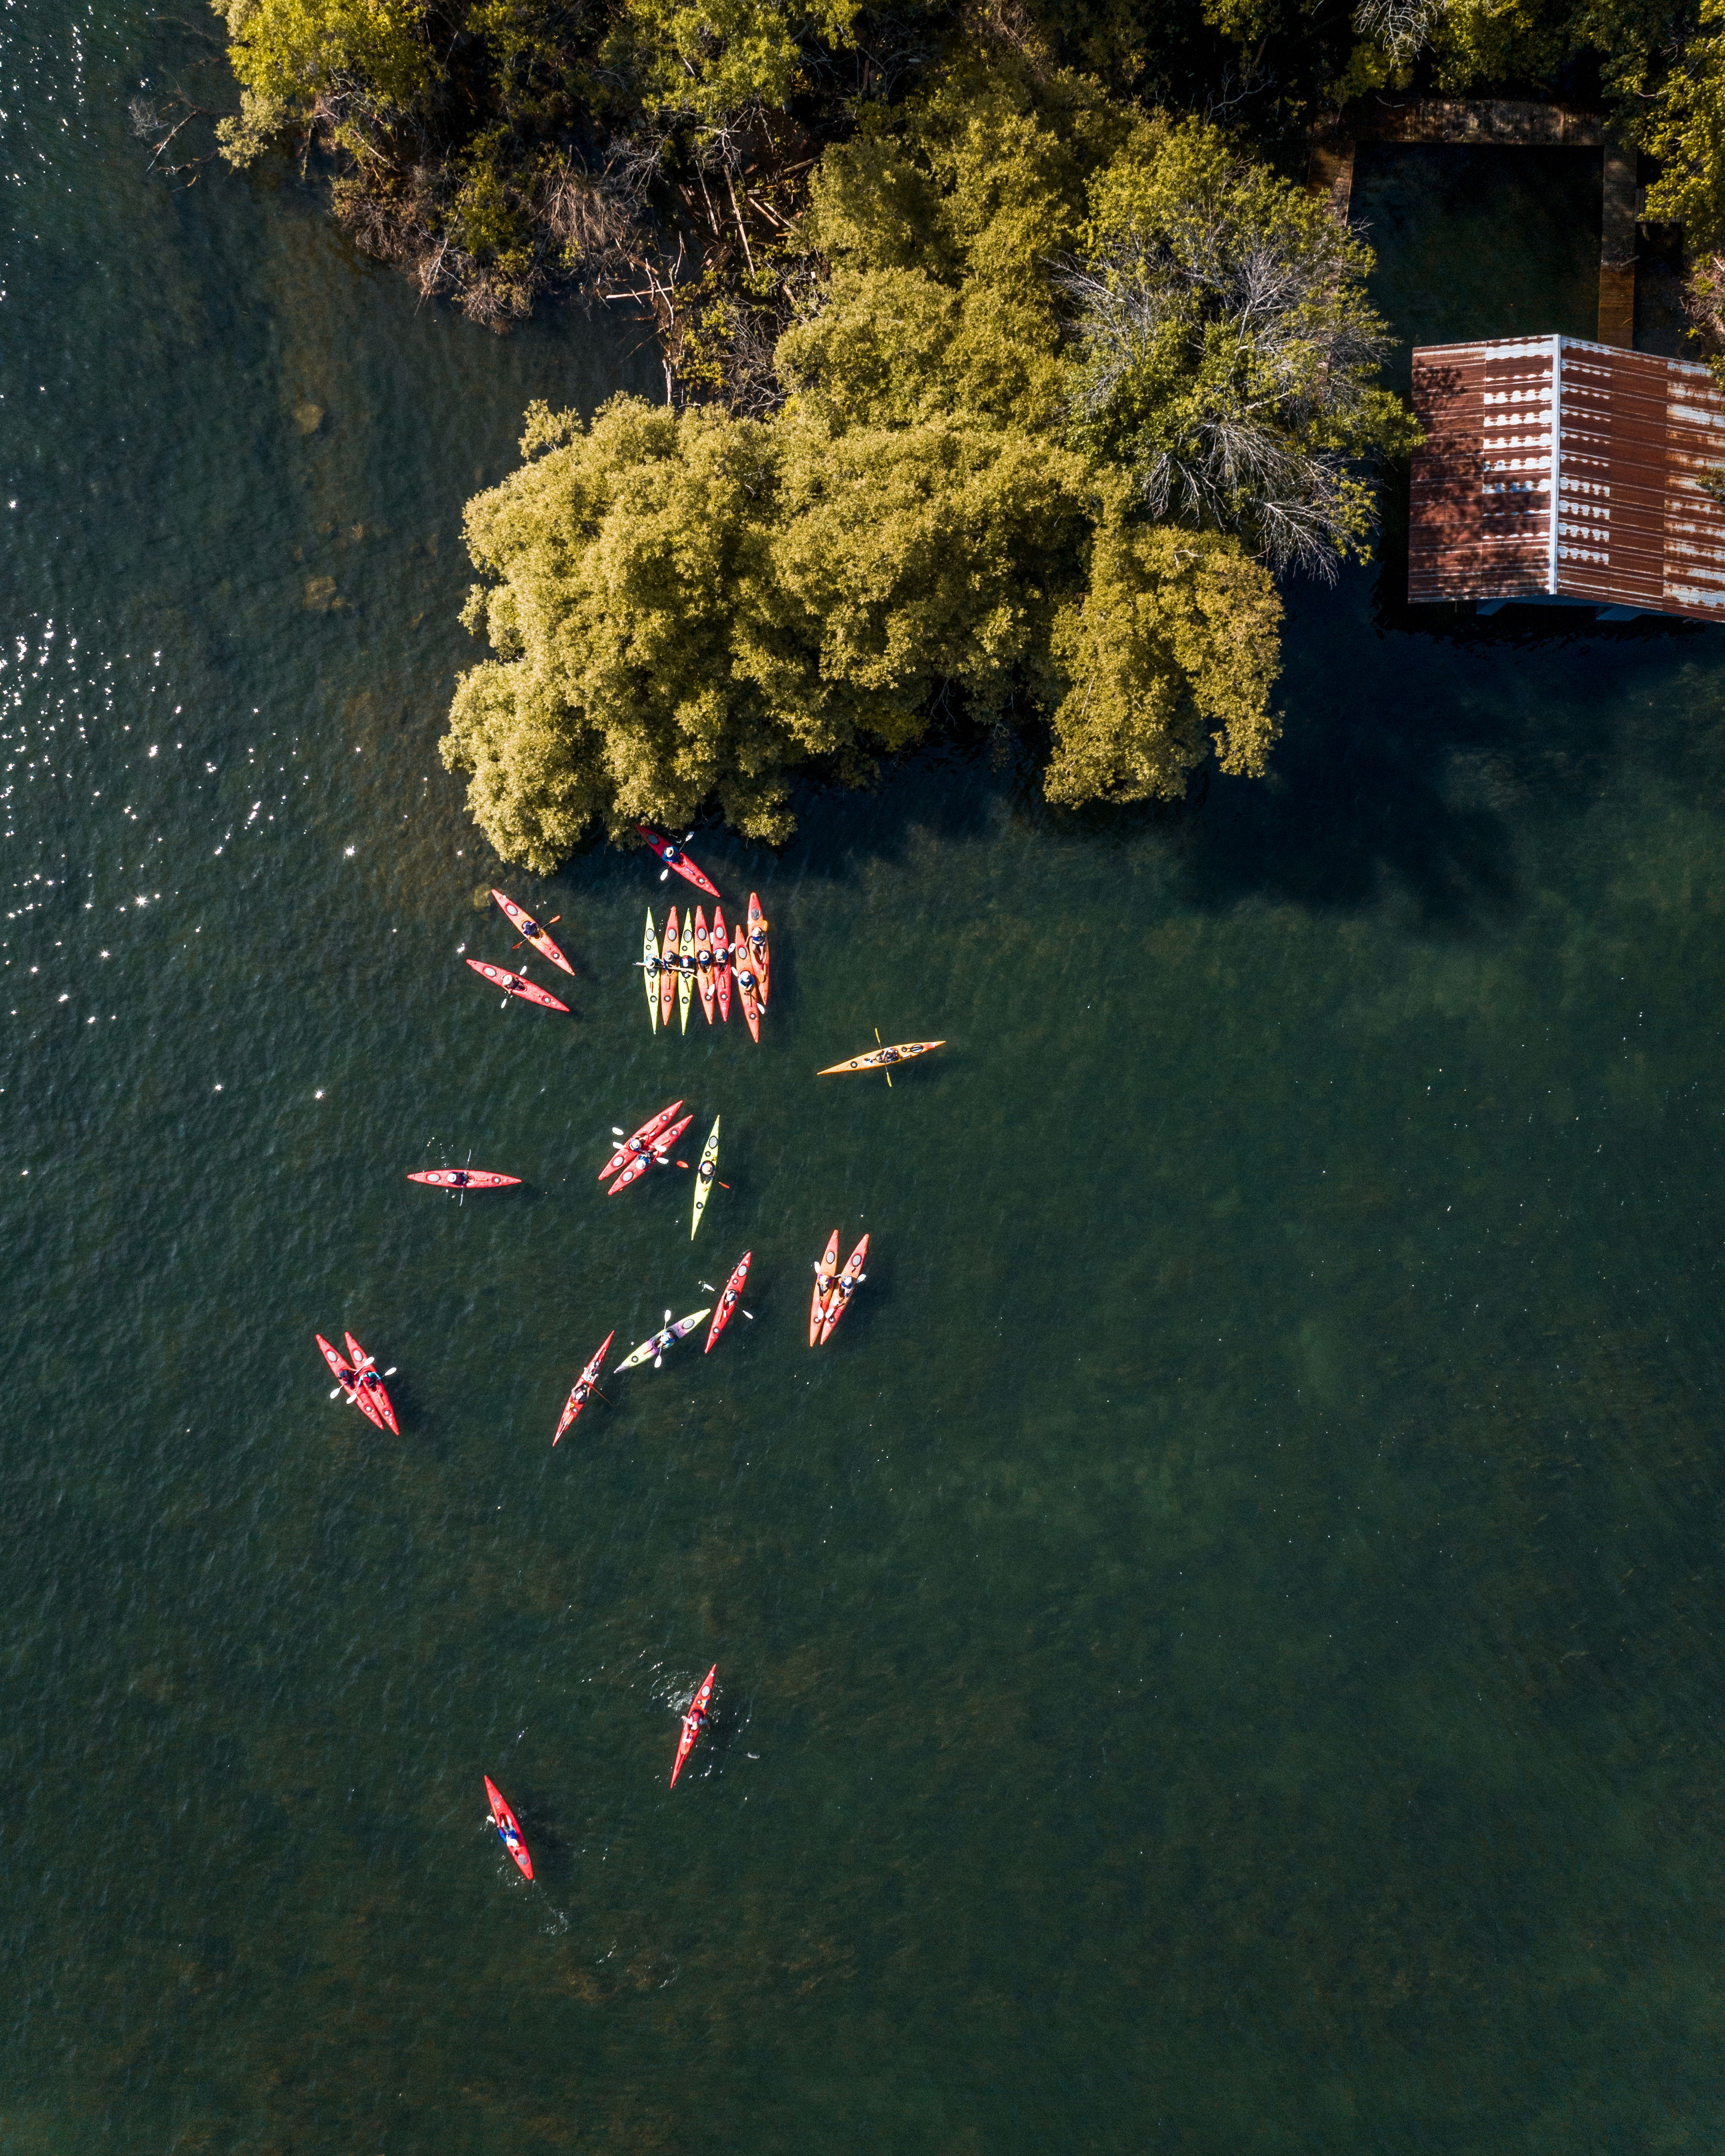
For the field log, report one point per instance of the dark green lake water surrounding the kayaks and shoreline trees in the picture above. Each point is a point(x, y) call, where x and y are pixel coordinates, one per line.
point(1219, 1655)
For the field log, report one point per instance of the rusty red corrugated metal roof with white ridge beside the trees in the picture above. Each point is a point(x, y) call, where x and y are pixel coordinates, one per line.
point(1562, 469)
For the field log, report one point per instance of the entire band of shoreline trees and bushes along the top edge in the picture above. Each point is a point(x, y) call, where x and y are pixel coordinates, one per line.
point(1008, 363)
